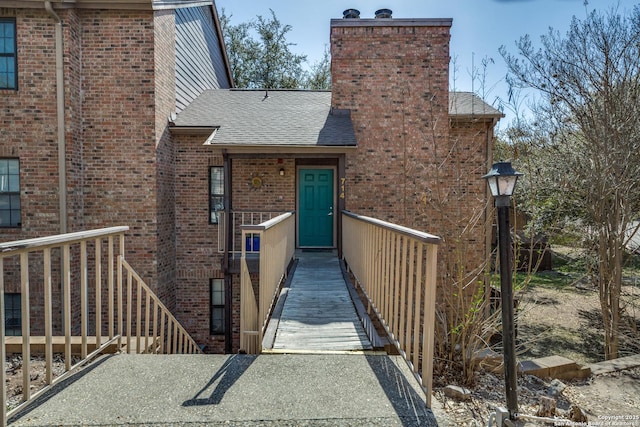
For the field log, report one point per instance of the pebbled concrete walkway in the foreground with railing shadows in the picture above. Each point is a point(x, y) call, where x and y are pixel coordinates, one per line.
point(265, 390)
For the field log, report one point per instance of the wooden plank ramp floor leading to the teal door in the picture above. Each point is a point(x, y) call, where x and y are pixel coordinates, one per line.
point(318, 315)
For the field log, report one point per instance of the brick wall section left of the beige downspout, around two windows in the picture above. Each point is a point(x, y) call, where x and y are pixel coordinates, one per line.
point(28, 125)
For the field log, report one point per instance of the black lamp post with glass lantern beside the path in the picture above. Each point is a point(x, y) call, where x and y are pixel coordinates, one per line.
point(502, 181)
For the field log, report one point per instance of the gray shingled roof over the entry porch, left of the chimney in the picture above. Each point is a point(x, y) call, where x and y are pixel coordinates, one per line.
point(269, 118)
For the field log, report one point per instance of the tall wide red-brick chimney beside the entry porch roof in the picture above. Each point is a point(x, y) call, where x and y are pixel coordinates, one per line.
point(393, 74)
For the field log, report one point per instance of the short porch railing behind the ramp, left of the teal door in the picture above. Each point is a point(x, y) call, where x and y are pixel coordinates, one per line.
point(233, 223)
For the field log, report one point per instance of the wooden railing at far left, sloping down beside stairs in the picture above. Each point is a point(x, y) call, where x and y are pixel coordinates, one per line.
point(75, 285)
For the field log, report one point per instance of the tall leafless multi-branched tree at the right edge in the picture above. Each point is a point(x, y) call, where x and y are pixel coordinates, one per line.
point(589, 81)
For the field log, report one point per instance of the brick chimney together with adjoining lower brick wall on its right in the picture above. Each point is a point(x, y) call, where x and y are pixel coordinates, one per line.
point(413, 166)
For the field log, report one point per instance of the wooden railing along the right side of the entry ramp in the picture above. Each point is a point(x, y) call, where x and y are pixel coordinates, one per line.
point(396, 269)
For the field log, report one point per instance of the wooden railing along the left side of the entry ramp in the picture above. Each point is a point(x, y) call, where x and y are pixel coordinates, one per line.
point(276, 251)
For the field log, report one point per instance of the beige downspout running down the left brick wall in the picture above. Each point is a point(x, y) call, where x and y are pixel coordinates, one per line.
point(62, 145)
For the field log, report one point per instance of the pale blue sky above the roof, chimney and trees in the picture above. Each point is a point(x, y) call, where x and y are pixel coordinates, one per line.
point(479, 28)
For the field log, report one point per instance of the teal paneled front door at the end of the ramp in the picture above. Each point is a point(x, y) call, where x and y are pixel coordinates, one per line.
point(316, 216)
